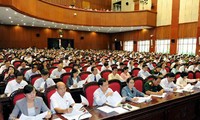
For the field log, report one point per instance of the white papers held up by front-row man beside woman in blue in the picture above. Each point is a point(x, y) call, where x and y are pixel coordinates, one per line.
point(114, 100)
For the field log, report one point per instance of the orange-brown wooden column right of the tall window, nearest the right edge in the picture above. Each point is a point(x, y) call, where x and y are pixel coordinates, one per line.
point(174, 25)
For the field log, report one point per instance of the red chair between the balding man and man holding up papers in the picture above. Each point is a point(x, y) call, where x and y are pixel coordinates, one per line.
point(89, 90)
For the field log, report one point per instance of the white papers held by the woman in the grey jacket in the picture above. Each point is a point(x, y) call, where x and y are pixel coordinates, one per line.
point(37, 117)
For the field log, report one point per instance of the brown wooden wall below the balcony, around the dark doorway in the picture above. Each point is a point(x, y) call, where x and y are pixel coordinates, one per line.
point(23, 37)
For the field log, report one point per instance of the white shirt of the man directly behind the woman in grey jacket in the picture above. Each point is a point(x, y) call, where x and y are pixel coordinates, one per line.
point(13, 85)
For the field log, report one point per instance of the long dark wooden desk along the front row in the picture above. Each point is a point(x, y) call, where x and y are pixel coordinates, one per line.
point(175, 106)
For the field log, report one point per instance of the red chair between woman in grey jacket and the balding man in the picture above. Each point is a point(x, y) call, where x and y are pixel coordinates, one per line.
point(48, 93)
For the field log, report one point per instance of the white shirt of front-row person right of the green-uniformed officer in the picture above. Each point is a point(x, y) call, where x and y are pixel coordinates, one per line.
point(167, 86)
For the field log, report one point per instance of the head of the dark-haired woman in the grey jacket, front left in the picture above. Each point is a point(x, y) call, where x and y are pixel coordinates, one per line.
point(29, 92)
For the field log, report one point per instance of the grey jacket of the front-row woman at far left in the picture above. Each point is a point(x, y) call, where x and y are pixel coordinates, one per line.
point(21, 107)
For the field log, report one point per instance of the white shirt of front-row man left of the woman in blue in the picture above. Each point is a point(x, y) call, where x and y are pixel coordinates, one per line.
point(100, 97)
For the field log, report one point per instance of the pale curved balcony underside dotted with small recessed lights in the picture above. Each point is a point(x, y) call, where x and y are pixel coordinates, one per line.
point(12, 17)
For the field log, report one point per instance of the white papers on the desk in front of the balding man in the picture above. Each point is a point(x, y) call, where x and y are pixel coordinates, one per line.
point(77, 114)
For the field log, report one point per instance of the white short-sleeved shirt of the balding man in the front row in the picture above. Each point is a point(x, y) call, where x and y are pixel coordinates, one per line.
point(61, 102)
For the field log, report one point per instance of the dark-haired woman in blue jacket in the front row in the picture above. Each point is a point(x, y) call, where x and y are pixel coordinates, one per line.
point(130, 92)
